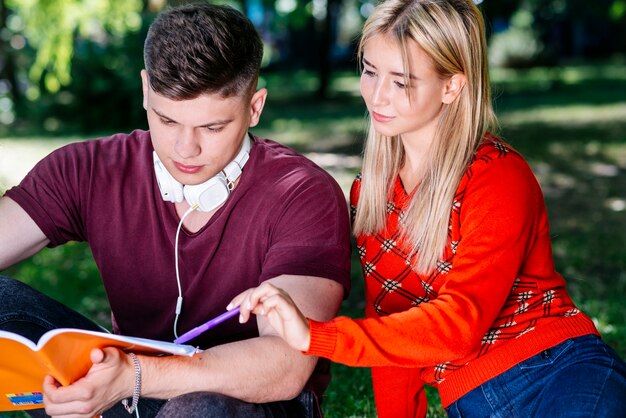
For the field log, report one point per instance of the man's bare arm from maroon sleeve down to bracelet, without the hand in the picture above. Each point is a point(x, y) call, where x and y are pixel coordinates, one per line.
point(261, 369)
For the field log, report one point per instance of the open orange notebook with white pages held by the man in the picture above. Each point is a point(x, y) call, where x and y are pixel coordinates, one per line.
point(64, 354)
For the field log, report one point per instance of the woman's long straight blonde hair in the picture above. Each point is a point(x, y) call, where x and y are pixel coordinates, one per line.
point(452, 34)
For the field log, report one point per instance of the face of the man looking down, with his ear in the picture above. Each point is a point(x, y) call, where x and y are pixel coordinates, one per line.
point(195, 139)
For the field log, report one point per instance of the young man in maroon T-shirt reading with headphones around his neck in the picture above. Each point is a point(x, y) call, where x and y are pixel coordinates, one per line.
point(249, 210)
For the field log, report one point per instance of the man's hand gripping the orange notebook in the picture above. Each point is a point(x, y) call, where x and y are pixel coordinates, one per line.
point(110, 379)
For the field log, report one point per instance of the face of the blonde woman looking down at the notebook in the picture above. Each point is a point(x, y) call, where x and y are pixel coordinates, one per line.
point(393, 111)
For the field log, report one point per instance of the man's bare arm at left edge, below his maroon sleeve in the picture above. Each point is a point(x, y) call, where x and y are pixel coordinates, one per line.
point(20, 237)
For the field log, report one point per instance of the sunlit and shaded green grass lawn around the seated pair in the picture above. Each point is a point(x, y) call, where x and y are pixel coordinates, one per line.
point(570, 123)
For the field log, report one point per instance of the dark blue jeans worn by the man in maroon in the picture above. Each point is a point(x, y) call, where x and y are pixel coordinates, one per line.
point(30, 313)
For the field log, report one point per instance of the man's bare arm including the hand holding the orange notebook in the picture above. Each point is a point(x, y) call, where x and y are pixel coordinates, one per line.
point(262, 369)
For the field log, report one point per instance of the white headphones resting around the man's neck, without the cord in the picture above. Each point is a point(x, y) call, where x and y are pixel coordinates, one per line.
point(208, 195)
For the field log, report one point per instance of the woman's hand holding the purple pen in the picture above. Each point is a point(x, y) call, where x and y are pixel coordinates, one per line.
point(280, 310)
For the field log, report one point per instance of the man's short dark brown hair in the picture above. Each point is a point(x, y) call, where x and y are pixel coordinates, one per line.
point(201, 48)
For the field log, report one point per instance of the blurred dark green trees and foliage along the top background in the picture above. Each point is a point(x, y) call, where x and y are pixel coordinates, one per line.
point(65, 55)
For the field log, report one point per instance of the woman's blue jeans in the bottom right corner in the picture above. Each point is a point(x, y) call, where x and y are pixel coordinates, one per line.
point(581, 377)
